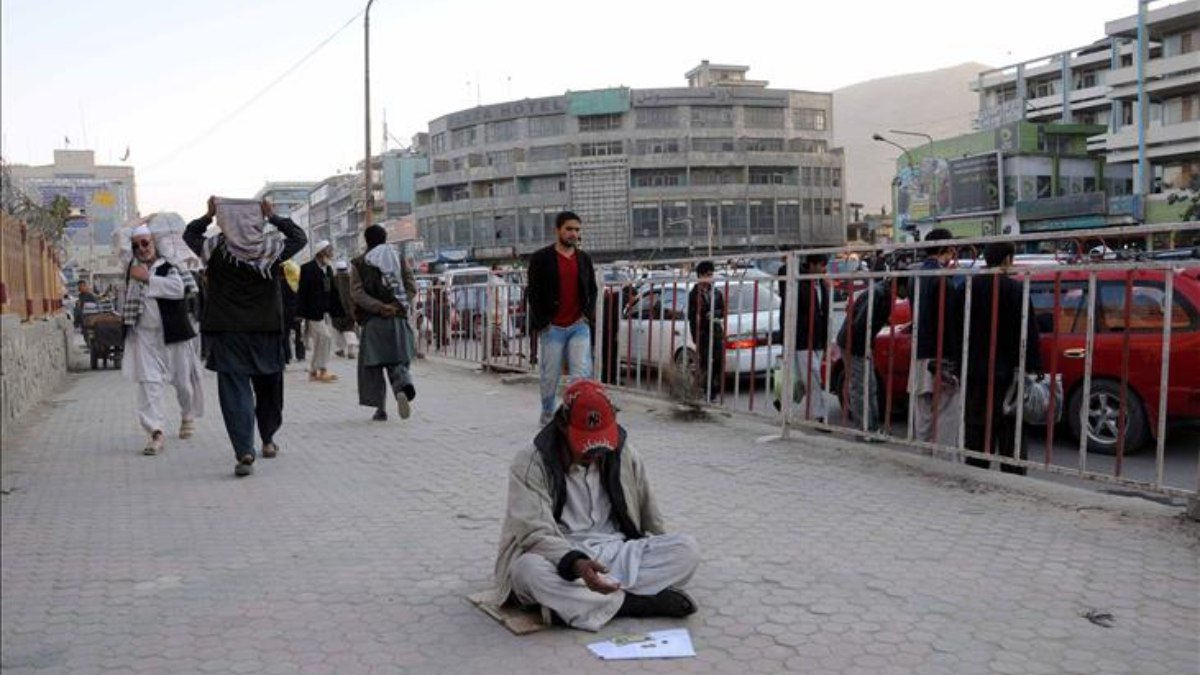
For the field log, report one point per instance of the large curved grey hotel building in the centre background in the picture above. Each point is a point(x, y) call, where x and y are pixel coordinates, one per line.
point(725, 164)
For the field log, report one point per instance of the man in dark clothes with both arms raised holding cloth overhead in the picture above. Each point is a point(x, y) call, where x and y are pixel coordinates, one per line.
point(244, 318)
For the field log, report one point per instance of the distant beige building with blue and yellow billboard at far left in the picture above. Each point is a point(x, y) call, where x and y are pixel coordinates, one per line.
point(105, 198)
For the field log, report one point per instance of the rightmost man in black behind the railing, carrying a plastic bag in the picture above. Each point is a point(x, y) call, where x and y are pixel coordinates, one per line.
point(994, 355)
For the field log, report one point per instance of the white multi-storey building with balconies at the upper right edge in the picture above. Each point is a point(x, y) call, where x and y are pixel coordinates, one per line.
point(1100, 83)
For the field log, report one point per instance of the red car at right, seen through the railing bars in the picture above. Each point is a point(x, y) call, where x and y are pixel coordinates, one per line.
point(1067, 336)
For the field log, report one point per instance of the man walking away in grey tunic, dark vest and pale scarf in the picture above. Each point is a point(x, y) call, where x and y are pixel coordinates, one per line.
point(382, 288)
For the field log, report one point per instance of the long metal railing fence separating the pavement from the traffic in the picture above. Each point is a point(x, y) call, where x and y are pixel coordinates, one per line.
point(1120, 337)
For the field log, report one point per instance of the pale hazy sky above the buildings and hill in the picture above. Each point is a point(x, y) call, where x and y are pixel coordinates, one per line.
point(172, 80)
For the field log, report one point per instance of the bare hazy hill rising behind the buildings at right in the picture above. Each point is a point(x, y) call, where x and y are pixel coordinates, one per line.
point(937, 103)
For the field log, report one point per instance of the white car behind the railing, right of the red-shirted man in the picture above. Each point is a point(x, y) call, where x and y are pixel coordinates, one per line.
point(655, 332)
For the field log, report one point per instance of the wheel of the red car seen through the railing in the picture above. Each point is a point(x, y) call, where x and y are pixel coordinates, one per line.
point(1103, 419)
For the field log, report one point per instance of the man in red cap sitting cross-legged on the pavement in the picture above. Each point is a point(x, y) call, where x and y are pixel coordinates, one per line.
point(584, 537)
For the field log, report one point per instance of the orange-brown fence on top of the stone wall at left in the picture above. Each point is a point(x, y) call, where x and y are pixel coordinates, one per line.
point(29, 272)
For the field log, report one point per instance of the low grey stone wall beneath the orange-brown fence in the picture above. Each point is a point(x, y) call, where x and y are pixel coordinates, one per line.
point(33, 363)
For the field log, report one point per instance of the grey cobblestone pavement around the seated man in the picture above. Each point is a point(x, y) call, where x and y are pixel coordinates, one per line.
point(355, 549)
